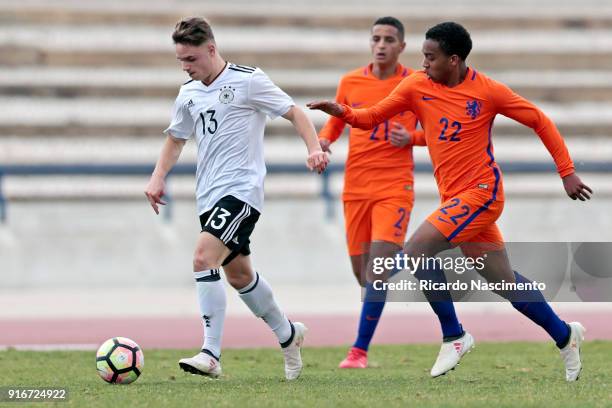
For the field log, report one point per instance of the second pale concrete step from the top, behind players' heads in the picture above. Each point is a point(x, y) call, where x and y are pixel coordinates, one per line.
point(273, 47)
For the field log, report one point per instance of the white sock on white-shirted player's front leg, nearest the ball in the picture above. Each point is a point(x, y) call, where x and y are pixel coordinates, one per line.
point(212, 301)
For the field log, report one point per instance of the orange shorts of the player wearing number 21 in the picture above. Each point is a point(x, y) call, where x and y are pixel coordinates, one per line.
point(376, 220)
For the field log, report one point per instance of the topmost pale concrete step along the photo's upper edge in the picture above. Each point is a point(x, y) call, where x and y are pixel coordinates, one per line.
point(417, 16)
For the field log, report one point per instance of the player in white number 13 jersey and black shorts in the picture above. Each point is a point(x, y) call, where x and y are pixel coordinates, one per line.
point(224, 106)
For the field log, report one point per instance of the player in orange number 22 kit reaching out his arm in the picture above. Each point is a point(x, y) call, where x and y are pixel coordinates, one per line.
point(456, 106)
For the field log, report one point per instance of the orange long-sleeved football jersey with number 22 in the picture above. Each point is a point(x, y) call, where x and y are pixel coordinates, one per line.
point(458, 122)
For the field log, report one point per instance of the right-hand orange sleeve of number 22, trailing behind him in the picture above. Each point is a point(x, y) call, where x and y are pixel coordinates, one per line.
point(518, 108)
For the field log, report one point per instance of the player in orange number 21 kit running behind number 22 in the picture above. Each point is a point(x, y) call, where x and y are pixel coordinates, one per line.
point(378, 194)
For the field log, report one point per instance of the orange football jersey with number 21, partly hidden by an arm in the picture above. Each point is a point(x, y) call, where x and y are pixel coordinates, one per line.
point(374, 167)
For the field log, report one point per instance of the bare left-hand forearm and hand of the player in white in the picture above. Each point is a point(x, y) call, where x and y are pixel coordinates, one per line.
point(168, 157)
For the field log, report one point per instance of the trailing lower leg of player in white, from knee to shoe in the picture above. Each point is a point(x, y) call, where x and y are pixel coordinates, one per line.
point(257, 295)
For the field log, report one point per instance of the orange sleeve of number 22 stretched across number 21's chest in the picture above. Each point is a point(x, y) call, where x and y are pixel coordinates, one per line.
point(398, 101)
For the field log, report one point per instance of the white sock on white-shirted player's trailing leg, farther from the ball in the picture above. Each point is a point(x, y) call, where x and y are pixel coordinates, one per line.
point(259, 298)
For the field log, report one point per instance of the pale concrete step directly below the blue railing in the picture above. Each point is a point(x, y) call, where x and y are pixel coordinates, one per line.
point(51, 188)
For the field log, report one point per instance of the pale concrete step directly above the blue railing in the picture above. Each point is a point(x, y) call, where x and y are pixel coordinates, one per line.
point(288, 149)
